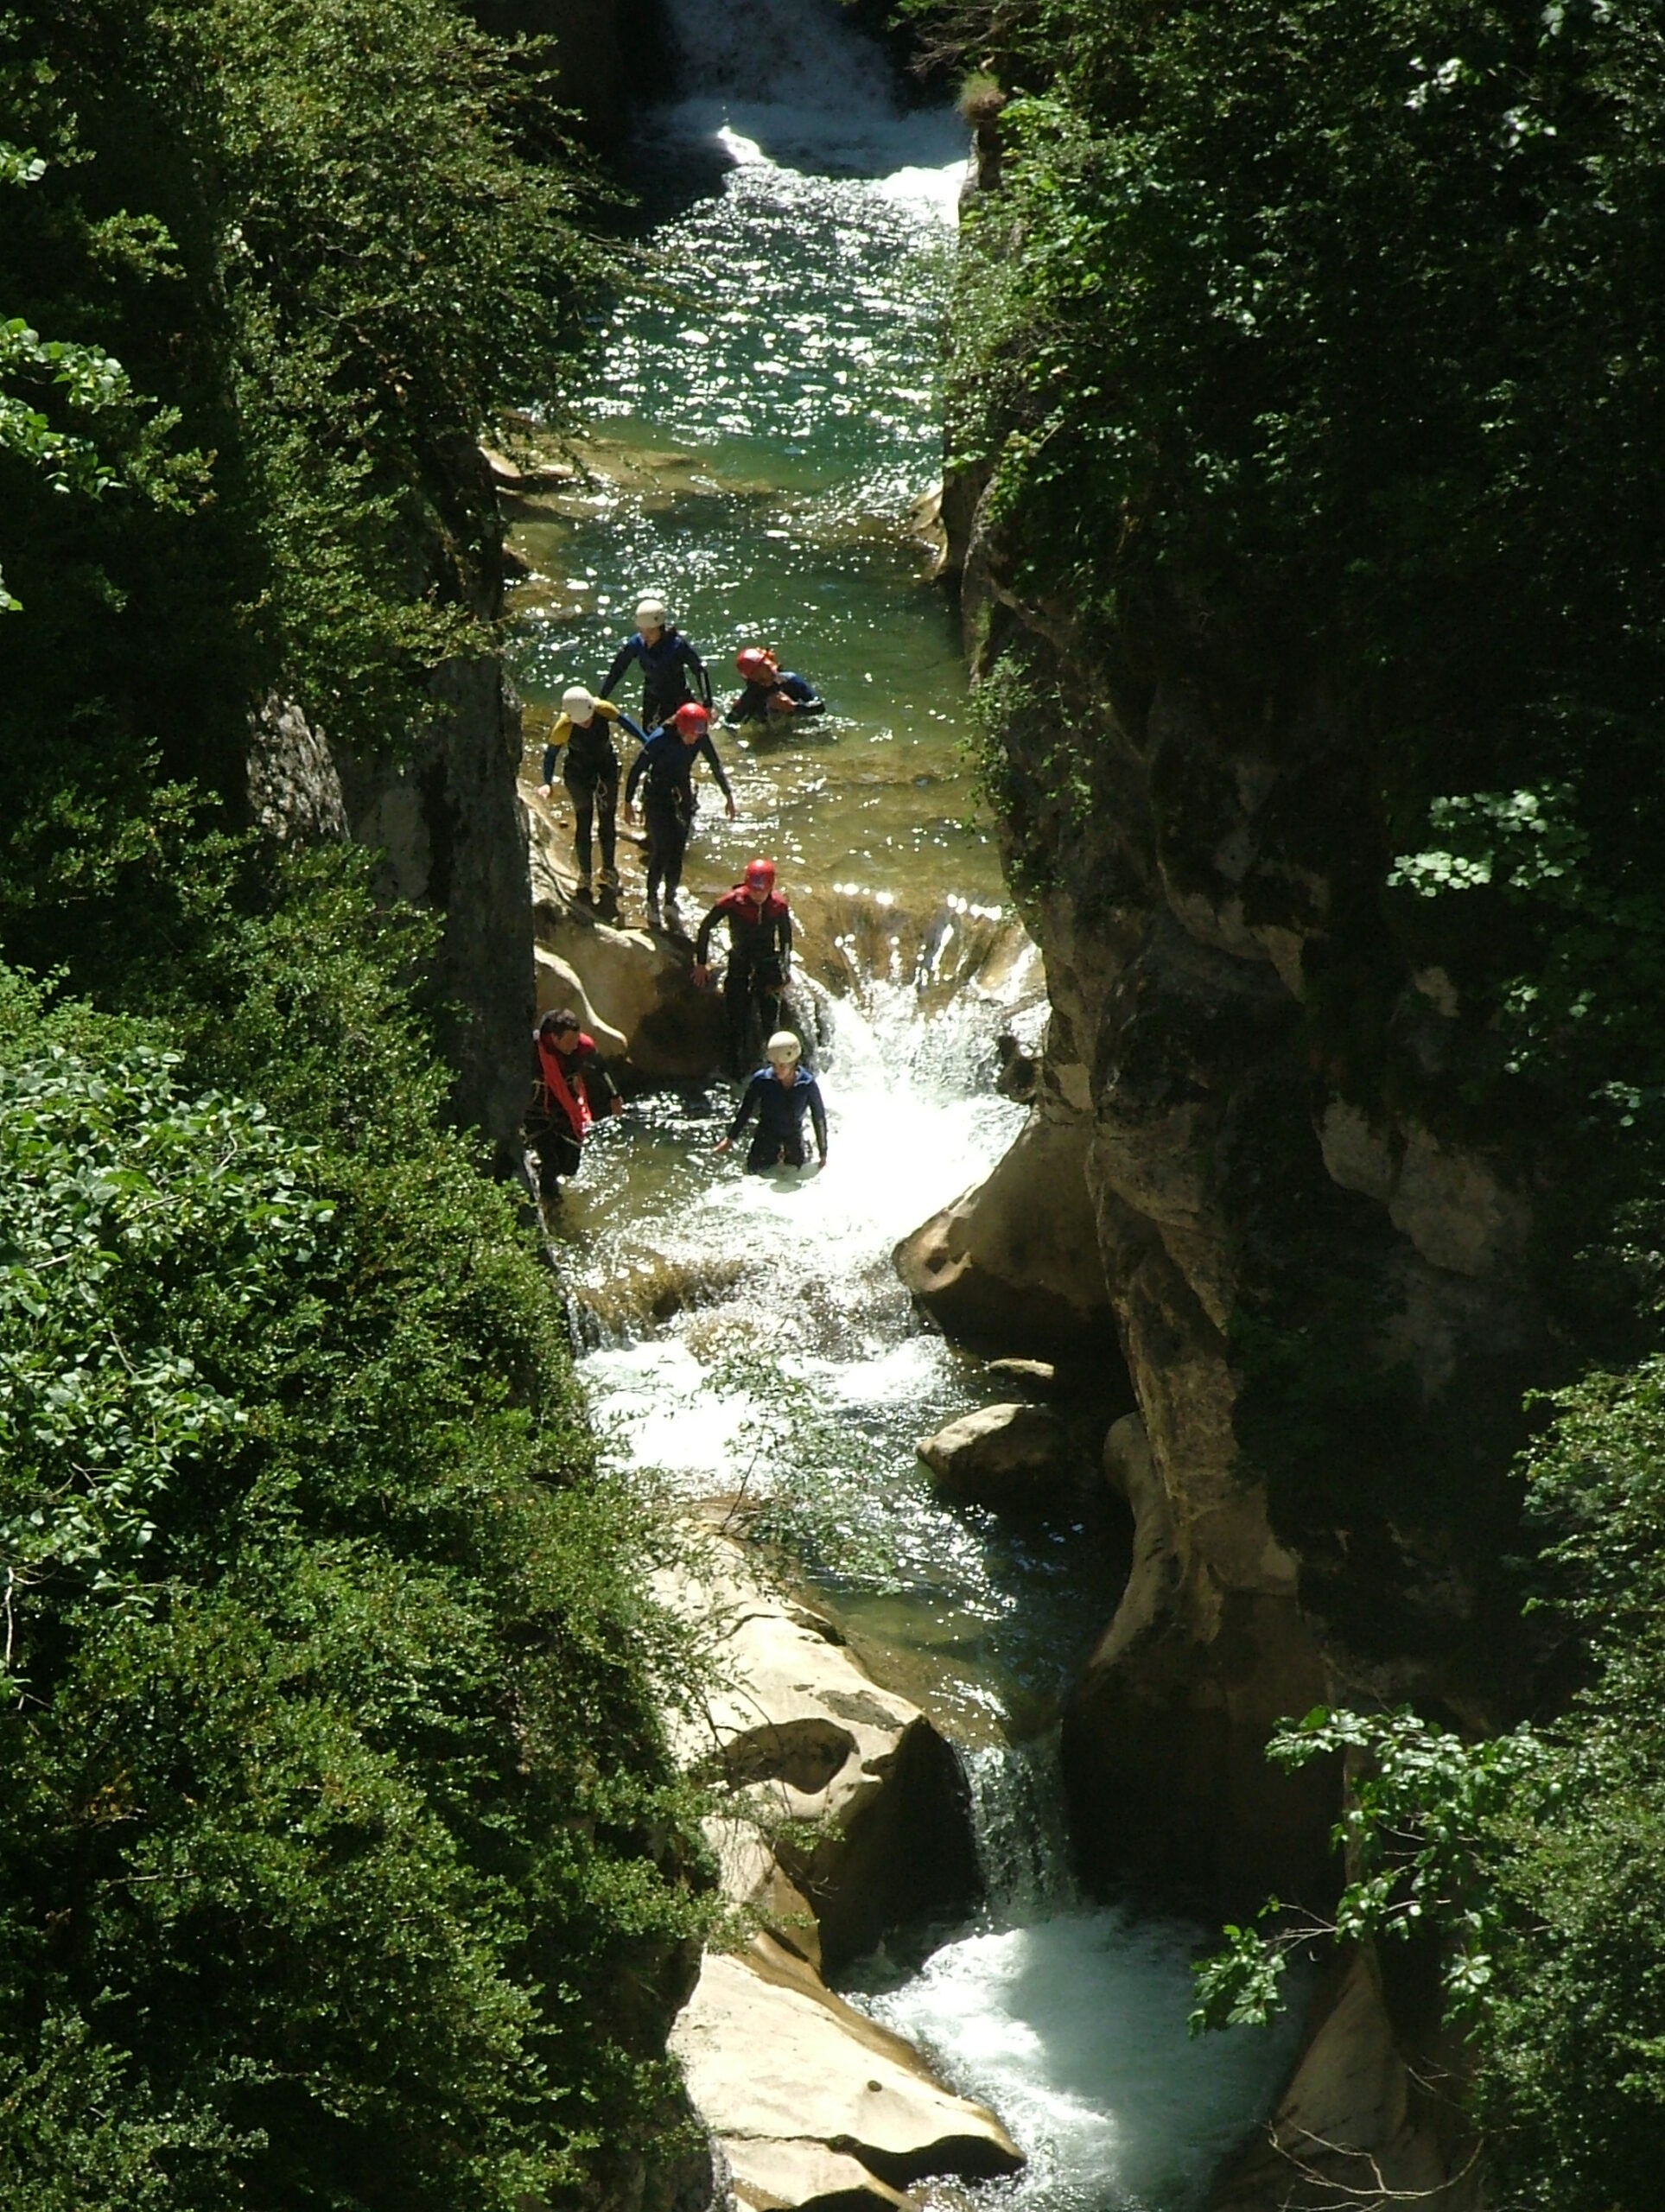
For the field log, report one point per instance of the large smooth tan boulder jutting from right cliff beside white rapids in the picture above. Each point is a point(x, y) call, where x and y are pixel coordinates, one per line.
point(1016, 1264)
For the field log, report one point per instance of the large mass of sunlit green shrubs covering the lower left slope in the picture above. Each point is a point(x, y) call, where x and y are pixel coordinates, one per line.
point(342, 1846)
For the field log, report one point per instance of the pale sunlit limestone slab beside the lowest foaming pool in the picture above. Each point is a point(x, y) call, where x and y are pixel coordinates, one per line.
point(777, 2063)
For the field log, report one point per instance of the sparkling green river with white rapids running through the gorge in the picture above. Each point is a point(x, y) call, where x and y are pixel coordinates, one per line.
point(764, 426)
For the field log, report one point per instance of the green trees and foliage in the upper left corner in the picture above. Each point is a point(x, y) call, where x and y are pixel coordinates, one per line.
point(328, 240)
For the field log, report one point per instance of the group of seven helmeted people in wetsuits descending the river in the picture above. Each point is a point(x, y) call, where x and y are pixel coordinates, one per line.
point(572, 1085)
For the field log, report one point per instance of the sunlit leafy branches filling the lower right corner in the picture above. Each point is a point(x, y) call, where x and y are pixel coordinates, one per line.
point(1538, 1859)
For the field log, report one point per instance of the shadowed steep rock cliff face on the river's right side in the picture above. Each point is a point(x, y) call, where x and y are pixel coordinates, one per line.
point(1319, 1284)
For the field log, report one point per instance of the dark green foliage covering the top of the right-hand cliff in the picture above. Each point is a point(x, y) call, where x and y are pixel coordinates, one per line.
point(1315, 362)
